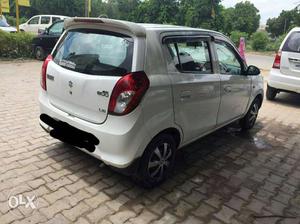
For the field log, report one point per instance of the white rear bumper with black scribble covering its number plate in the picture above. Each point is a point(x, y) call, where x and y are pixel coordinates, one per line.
point(121, 140)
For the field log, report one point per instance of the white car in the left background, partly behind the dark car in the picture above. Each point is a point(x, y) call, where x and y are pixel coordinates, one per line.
point(40, 22)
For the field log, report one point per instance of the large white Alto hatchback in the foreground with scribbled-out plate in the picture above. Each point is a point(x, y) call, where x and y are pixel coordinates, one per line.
point(132, 94)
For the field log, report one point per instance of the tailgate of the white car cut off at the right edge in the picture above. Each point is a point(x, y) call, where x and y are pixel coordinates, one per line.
point(290, 55)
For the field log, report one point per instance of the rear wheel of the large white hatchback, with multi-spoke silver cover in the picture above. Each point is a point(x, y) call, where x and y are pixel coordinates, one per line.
point(160, 153)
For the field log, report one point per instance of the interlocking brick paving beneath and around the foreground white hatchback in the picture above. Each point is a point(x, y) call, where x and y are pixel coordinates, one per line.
point(227, 177)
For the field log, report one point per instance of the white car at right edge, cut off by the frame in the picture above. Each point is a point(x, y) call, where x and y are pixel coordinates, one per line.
point(285, 74)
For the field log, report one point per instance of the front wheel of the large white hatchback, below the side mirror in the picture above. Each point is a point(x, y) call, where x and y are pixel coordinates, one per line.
point(249, 120)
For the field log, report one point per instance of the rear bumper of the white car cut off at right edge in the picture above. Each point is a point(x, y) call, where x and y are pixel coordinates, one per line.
point(283, 82)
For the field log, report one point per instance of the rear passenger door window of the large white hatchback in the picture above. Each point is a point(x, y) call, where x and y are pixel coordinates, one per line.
point(191, 56)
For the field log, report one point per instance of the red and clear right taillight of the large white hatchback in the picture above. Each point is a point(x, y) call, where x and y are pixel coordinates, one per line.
point(128, 92)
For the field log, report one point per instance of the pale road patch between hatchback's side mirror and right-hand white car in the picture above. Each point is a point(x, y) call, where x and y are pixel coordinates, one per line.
point(262, 61)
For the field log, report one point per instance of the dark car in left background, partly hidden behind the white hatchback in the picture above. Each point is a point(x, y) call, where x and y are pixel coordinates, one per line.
point(45, 42)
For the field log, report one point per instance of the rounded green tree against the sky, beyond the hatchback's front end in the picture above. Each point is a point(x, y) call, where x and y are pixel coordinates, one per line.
point(244, 17)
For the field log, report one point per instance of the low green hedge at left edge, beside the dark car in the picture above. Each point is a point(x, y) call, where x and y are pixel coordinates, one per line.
point(15, 45)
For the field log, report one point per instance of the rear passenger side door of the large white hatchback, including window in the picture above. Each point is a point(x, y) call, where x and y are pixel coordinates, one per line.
point(196, 89)
